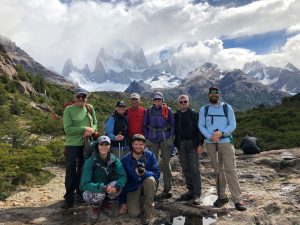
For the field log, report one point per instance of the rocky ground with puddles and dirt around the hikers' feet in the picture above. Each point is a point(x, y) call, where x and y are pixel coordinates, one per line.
point(270, 184)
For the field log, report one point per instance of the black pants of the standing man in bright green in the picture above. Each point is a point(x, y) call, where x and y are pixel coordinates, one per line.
point(74, 163)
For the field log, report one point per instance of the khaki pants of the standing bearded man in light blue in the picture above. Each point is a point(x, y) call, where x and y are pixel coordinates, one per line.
point(226, 168)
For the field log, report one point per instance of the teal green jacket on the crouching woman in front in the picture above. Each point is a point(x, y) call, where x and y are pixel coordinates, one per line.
point(97, 173)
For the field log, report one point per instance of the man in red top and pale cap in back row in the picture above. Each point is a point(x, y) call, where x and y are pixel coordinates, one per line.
point(135, 115)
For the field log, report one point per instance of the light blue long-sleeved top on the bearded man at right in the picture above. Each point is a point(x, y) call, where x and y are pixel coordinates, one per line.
point(220, 122)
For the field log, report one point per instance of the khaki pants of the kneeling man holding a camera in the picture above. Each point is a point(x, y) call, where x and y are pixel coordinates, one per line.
point(144, 195)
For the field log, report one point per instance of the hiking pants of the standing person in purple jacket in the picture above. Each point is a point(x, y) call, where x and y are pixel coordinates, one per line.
point(164, 147)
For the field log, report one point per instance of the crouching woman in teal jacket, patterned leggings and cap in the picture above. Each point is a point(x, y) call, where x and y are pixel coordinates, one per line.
point(103, 176)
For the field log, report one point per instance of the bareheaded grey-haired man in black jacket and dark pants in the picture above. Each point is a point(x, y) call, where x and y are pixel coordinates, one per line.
point(189, 142)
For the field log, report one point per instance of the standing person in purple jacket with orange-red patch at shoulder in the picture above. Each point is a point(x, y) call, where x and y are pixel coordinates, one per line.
point(158, 126)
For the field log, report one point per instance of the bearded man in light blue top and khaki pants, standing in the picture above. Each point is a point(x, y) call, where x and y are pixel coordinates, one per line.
point(216, 123)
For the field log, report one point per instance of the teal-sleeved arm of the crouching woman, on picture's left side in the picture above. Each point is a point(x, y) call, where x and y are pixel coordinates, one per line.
point(87, 183)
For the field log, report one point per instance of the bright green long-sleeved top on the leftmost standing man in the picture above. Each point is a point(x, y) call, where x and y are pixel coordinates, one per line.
point(76, 119)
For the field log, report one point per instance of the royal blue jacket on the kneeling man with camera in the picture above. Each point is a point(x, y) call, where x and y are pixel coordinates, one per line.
point(135, 181)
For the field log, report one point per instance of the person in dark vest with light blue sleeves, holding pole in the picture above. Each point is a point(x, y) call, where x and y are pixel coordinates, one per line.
point(117, 130)
